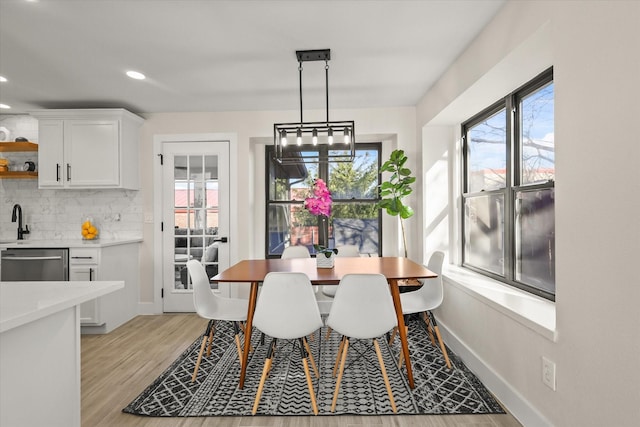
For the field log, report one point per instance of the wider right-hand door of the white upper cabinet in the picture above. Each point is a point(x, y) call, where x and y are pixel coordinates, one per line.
point(92, 153)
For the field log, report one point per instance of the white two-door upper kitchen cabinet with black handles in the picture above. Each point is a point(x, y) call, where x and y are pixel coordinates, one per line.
point(95, 148)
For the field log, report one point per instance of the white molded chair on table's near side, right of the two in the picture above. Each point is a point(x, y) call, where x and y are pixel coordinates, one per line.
point(362, 309)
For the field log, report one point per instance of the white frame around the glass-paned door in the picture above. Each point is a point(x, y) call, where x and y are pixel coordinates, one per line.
point(158, 140)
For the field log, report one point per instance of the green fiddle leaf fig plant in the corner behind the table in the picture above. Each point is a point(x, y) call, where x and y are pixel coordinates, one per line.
point(396, 188)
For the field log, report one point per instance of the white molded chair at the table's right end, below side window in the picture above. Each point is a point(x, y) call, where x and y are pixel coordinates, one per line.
point(427, 298)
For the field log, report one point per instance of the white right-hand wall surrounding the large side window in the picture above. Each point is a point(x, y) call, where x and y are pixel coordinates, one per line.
point(593, 46)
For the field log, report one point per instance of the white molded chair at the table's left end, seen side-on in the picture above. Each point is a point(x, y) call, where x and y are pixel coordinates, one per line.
point(213, 307)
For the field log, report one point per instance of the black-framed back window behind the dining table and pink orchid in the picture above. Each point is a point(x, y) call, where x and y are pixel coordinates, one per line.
point(354, 218)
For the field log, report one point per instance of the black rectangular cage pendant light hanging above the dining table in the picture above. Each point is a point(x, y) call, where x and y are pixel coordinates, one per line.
point(341, 150)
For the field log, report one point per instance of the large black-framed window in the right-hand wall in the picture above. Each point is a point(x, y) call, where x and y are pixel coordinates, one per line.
point(508, 190)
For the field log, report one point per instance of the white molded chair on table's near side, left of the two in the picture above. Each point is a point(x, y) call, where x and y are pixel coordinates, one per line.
point(286, 309)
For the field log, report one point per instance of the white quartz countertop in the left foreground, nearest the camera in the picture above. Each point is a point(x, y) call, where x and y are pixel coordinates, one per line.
point(25, 302)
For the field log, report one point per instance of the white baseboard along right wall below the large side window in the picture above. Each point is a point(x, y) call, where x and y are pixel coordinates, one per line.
point(515, 403)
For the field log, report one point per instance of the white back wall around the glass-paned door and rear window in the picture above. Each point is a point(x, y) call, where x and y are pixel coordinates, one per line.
point(396, 126)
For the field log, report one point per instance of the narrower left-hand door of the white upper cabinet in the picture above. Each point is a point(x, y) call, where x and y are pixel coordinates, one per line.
point(50, 153)
